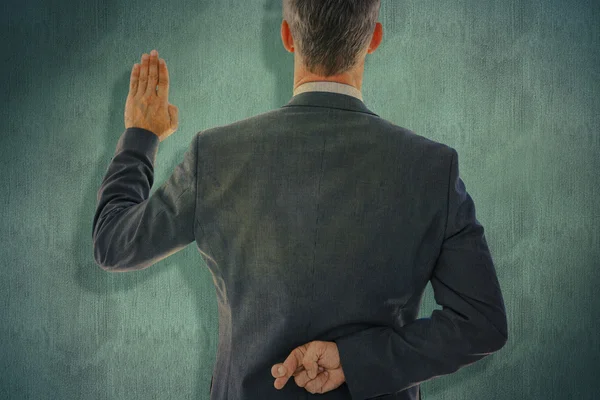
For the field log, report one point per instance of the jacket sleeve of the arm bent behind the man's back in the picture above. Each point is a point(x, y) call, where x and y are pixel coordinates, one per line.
point(472, 324)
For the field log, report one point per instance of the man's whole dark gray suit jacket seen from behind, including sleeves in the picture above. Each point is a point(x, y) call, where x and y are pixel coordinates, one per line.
point(318, 221)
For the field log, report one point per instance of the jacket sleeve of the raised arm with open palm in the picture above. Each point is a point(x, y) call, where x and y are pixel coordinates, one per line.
point(130, 230)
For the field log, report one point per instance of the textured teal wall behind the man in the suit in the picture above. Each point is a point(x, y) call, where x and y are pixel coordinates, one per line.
point(512, 85)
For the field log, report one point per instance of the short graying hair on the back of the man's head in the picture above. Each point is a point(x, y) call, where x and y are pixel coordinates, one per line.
point(330, 35)
